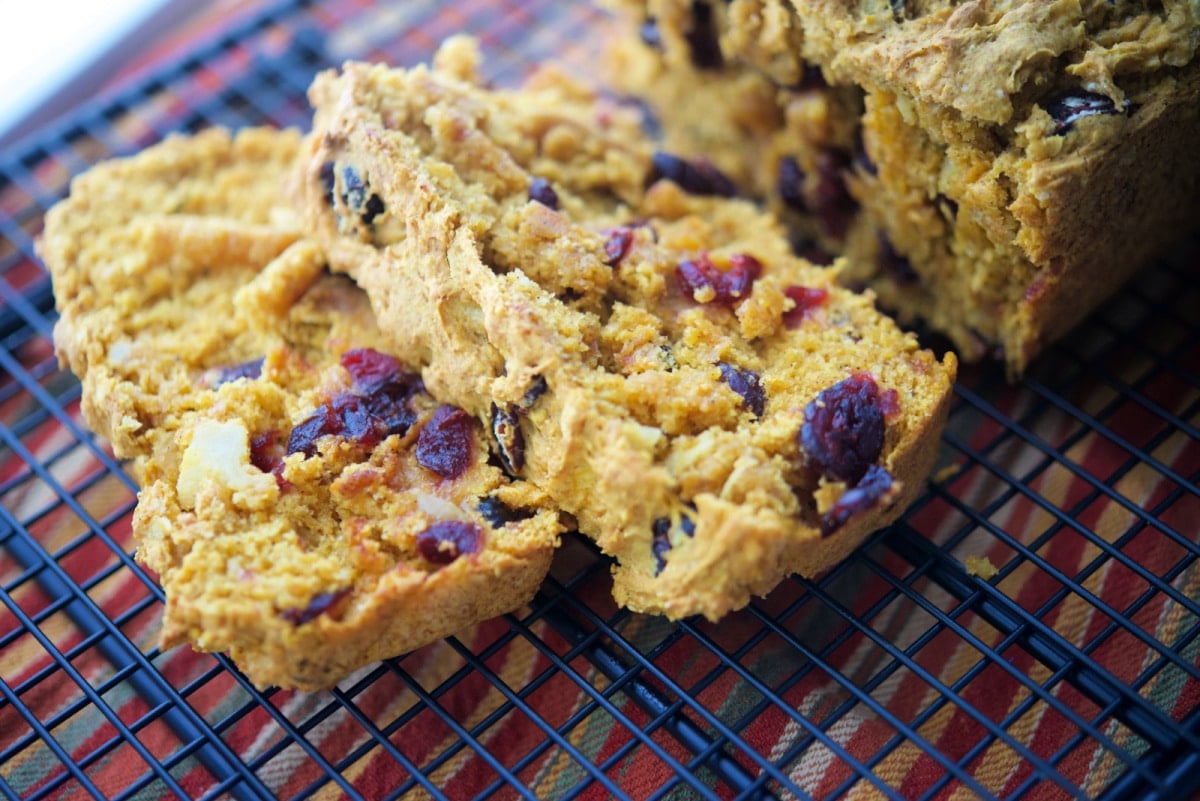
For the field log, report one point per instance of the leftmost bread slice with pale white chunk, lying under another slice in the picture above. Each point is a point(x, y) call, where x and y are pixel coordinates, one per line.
point(308, 507)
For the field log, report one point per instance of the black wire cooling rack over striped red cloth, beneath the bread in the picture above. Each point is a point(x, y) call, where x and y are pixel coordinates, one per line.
point(1031, 629)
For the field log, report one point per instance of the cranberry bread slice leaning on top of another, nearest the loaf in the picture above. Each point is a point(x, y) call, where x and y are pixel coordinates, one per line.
point(716, 413)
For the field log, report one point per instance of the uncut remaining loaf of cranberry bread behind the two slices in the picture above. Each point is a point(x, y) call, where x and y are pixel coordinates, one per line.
point(1015, 162)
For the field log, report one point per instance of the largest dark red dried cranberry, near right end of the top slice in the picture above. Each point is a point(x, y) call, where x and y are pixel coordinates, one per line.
point(843, 431)
